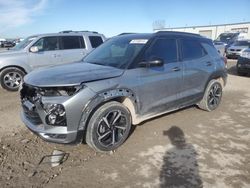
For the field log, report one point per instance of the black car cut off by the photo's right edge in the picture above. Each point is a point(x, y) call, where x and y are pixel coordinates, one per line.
point(243, 64)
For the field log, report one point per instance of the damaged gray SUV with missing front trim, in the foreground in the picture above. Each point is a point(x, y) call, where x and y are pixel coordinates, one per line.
point(125, 81)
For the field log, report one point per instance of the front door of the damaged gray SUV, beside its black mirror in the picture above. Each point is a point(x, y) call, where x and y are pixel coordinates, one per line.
point(159, 86)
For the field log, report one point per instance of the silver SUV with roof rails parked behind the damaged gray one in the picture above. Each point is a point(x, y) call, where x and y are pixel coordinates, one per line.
point(44, 50)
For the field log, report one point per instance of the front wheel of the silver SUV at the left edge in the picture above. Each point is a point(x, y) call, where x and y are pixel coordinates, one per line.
point(11, 78)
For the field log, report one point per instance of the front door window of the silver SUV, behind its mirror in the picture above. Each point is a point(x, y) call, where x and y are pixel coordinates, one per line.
point(47, 44)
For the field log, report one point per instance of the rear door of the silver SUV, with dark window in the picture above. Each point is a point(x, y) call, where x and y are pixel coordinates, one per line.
point(73, 49)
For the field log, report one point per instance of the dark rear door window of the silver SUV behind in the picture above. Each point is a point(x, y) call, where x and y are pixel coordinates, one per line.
point(72, 42)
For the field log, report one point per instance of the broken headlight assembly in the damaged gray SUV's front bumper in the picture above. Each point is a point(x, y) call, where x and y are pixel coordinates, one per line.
point(55, 114)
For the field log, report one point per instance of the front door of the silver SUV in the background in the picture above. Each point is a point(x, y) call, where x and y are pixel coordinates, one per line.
point(48, 52)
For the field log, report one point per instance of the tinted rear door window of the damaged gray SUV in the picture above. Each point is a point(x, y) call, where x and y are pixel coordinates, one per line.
point(192, 49)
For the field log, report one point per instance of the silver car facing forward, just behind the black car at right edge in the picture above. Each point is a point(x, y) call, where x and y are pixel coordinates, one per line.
point(236, 49)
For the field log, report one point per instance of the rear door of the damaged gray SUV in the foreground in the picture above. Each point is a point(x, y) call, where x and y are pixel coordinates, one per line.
point(197, 67)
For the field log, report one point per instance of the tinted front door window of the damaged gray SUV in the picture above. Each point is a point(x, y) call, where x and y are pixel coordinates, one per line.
point(165, 49)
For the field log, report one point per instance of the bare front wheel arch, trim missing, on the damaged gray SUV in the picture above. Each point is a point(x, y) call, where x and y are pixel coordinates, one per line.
point(104, 96)
